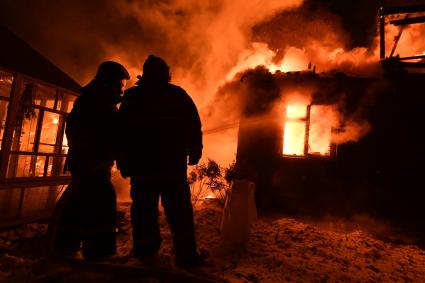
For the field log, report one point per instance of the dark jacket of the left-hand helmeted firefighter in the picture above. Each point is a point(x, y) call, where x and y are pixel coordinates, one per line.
point(91, 132)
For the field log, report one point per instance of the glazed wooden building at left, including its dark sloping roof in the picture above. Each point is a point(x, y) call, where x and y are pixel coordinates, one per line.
point(35, 97)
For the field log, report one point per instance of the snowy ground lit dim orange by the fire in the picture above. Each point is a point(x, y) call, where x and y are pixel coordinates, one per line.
point(279, 249)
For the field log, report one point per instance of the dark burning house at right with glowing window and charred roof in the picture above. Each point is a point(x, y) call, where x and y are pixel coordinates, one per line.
point(319, 143)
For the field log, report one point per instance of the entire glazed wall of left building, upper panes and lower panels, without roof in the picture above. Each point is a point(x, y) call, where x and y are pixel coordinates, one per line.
point(35, 143)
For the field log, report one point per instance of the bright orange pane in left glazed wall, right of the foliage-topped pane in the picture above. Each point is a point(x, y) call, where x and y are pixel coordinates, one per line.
point(49, 132)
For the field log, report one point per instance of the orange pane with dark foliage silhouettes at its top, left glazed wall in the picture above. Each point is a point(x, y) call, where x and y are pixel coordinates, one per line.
point(24, 134)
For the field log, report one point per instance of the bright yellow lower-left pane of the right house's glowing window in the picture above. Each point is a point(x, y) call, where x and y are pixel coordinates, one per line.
point(293, 139)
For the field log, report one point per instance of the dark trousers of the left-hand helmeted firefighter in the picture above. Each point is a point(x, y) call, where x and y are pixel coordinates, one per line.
point(87, 216)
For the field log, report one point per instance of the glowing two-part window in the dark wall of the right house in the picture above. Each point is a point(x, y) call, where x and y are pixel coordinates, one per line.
point(307, 129)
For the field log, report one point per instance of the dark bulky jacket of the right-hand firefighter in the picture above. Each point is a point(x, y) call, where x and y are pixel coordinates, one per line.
point(159, 128)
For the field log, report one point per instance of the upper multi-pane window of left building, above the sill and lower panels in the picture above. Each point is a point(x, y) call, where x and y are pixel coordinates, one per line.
point(39, 145)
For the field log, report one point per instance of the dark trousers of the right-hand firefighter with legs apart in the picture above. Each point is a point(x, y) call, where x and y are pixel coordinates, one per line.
point(175, 199)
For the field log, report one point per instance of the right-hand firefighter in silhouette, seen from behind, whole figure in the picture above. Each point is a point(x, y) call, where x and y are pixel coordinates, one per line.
point(161, 132)
